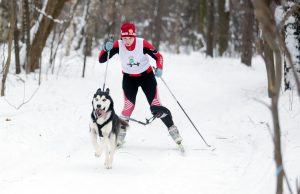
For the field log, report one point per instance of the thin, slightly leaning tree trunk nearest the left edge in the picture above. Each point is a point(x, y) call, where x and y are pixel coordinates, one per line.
point(10, 39)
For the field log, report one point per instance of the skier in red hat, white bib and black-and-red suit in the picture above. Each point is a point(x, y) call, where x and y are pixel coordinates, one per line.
point(137, 71)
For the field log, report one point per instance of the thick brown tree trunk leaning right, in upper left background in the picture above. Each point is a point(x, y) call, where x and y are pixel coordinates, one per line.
point(53, 9)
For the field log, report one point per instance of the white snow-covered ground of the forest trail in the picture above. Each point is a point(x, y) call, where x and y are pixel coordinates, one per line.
point(45, 145)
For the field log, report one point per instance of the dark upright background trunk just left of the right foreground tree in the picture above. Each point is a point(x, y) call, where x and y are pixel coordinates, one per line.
point(247, 33)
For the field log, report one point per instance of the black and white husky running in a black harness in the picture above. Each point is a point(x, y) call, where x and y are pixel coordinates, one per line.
point(105, 125)
